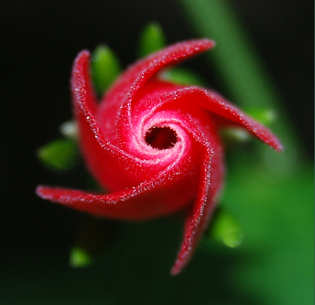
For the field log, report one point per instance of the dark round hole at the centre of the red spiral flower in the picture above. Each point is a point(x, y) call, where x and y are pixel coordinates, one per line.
point(161, 137)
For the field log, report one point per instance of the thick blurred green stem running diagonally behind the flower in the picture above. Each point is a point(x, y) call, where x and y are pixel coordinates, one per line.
point(240, 68)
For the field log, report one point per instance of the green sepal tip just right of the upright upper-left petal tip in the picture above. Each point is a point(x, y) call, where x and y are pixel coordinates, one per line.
point(105, 68)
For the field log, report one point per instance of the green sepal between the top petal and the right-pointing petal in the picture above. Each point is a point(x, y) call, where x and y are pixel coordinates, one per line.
point(181, 76)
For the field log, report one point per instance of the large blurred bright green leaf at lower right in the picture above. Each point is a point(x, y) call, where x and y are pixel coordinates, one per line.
point(276, 214)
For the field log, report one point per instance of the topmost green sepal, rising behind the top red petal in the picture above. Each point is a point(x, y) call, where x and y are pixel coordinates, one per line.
point(152, 39)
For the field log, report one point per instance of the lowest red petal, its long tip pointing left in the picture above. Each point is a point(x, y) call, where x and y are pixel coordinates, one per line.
point(147, 200)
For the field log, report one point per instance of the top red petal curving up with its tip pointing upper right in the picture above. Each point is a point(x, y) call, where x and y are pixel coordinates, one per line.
point(123, 93)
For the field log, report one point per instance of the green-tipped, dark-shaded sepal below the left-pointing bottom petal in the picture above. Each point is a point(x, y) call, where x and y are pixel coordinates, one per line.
point(95, 236)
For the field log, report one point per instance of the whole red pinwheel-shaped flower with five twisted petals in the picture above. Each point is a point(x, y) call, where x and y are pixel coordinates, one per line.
point(153, 145)
